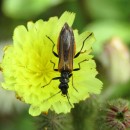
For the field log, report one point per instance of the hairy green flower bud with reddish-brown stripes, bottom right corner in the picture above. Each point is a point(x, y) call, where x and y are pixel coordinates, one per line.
point(117, 115)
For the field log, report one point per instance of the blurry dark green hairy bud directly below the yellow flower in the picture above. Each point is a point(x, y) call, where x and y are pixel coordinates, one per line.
point(53, 121)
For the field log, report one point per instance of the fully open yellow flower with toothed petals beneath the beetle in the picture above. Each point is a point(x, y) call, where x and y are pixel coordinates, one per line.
point(27, 68)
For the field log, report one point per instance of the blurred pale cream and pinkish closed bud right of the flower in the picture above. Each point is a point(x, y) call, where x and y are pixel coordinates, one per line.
point(116, 59)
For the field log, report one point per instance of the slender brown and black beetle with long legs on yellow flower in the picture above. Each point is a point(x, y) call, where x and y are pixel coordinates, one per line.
point(66, 49)
